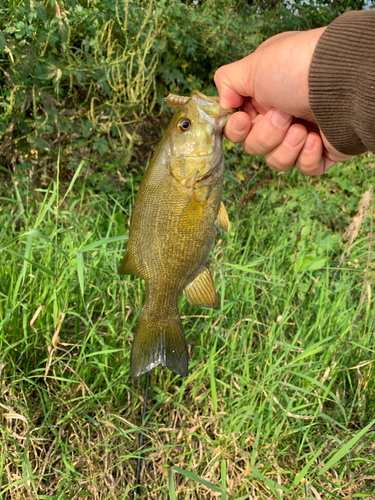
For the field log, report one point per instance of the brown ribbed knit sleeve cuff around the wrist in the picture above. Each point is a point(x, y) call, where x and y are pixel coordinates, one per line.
point(342, 82)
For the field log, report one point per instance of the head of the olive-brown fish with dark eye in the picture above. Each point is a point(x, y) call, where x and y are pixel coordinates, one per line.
point(195, 136)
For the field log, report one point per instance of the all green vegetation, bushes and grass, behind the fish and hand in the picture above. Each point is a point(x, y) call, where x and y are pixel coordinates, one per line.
point(279, 402)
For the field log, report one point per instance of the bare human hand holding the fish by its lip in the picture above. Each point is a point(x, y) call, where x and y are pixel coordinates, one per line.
point(271, 86)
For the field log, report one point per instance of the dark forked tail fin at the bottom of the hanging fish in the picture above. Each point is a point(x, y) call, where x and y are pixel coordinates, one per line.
point(159, 342)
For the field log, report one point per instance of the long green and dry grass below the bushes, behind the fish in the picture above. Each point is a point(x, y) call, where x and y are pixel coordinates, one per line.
point(279, 401)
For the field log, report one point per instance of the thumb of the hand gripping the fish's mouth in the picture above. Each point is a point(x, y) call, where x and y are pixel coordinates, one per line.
point(235, 82)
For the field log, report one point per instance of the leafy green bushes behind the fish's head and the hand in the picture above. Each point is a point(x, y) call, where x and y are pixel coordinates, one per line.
point(85, 79)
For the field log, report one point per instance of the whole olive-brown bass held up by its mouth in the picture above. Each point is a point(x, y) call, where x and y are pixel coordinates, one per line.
point(177, 212)
